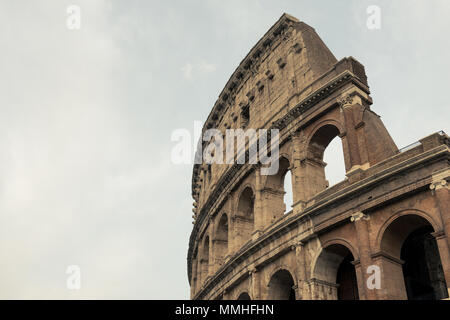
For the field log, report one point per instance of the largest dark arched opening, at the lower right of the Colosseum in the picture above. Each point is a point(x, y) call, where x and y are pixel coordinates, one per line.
point(421, 276)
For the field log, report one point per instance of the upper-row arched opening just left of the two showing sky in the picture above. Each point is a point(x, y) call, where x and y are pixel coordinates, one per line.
point(245, 216)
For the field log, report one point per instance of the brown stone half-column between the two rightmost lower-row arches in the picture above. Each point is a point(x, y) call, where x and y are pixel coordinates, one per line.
point(362, 234)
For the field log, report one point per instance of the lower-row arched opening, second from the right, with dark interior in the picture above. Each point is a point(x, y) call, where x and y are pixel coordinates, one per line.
point(335, 275)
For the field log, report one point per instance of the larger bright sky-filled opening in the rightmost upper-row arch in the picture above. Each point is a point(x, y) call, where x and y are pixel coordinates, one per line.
point(334, 158)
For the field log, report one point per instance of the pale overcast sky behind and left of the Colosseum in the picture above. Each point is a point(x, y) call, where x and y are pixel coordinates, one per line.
point(86, 117)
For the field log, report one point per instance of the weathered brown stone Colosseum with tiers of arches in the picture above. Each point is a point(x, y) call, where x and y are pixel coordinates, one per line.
point(381, 233)
